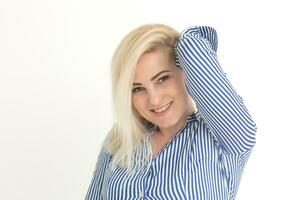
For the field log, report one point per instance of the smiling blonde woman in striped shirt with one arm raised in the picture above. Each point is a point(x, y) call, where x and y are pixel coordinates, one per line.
point(181, 131)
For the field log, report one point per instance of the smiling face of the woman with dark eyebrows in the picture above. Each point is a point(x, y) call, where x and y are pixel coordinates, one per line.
point(158, 92)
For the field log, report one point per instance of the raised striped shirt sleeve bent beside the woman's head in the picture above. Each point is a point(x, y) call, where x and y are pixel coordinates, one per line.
point(221, 108)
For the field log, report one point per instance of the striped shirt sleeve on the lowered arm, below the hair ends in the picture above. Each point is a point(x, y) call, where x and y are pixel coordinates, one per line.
point(95, 188)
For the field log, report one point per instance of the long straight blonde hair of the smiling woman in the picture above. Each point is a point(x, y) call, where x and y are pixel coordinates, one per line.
point(124, 139)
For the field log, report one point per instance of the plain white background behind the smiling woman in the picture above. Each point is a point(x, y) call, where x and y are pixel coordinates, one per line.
point(55, 98)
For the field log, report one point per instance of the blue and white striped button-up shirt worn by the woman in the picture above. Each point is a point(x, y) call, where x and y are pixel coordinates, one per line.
point(205, 160)
